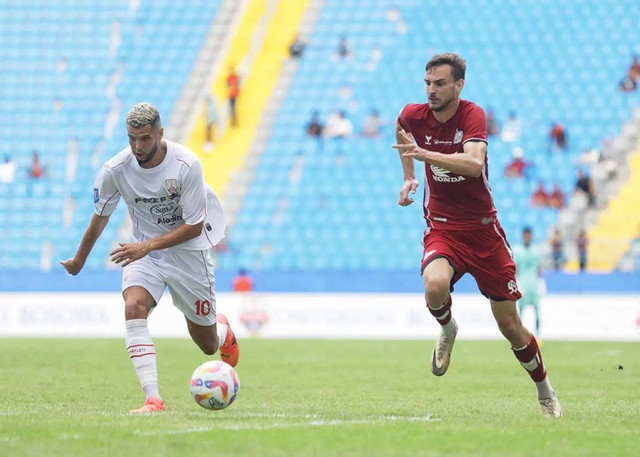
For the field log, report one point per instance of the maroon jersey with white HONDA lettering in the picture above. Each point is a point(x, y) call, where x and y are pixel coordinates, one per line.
point(451, 201)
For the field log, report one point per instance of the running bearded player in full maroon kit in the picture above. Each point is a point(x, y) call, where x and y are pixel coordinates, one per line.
point(463, 234)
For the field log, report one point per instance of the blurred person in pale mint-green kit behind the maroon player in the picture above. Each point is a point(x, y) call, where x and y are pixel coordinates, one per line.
point(529, 273)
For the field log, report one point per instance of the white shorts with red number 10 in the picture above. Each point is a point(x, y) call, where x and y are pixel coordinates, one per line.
point(189, 276)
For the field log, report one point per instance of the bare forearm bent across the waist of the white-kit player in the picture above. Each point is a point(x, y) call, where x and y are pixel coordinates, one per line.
point(126, 253)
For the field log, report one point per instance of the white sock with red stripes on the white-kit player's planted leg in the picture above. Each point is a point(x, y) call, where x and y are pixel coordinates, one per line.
point(142, 353)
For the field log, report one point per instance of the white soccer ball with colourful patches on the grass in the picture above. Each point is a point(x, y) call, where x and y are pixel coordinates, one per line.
point(214, 385)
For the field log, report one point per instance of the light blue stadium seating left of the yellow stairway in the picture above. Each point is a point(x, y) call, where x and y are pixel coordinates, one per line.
point(71, 70)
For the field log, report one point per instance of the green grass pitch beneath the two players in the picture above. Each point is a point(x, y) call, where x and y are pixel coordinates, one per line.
point(320, 398)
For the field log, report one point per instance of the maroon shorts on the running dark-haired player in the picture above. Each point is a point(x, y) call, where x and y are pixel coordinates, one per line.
point(484, 253)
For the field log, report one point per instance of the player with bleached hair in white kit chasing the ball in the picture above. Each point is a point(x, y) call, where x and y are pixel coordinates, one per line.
point(176, 220)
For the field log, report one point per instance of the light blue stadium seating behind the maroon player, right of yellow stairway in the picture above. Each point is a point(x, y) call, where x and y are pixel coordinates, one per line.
point(331, 204)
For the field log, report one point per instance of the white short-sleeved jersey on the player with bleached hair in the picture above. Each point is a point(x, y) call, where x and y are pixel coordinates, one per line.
point(161, 198)
